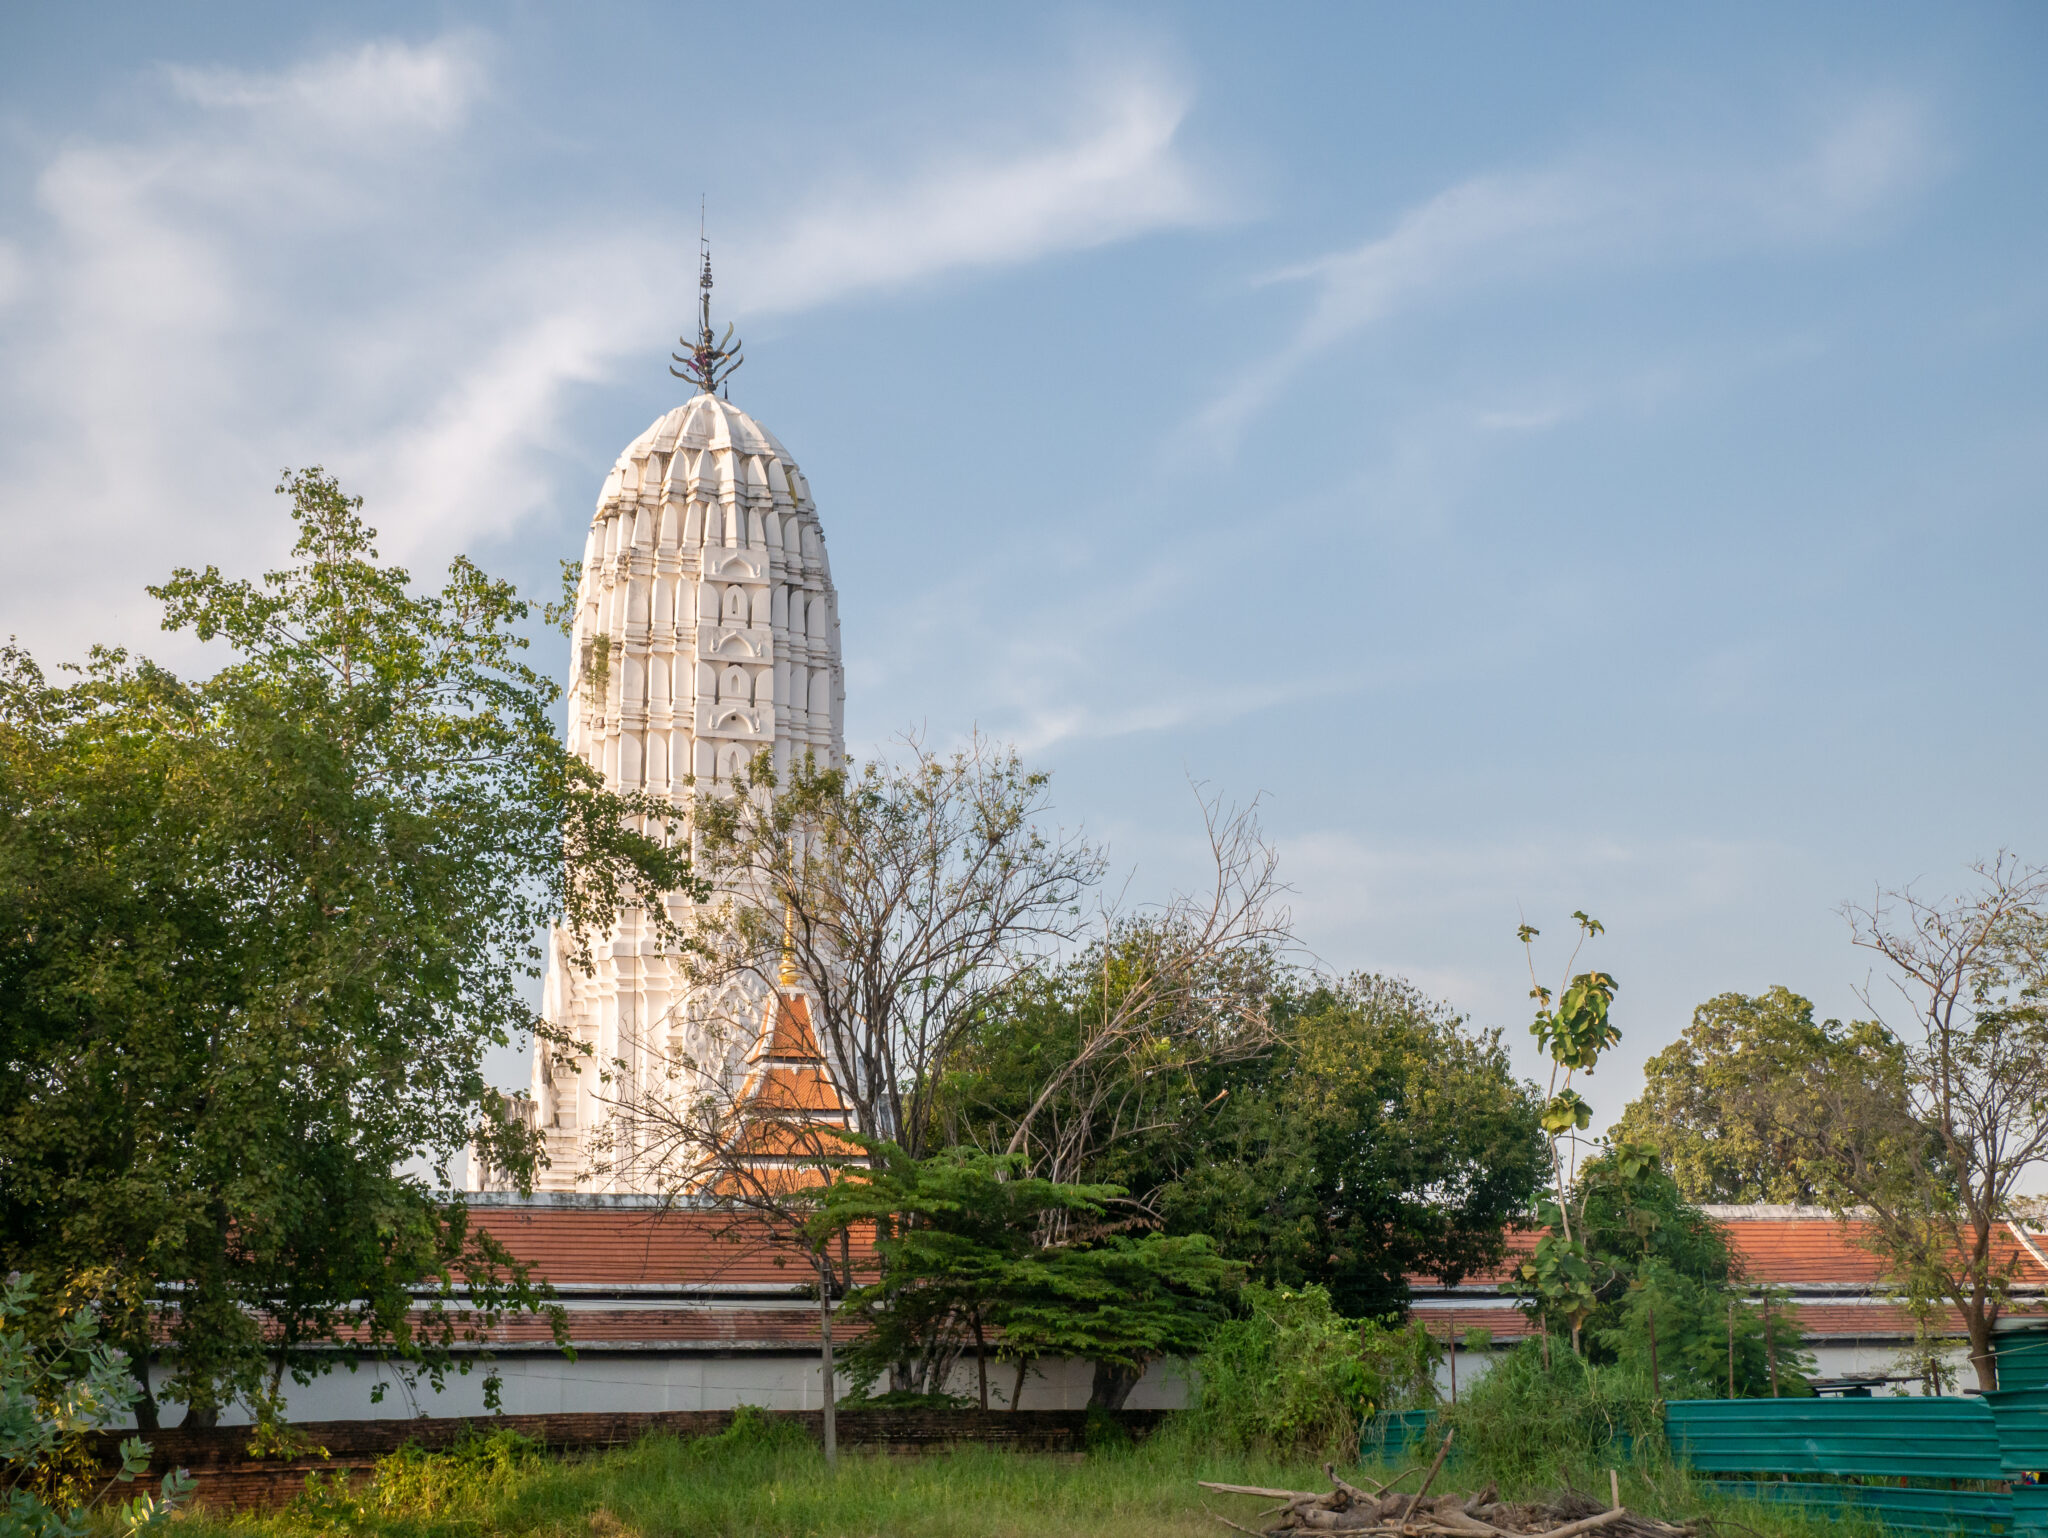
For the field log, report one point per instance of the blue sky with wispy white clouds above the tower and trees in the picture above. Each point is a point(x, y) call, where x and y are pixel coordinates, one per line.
point(1553, 456)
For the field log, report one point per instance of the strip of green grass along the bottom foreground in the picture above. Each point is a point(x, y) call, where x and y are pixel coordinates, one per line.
point(759, 1486)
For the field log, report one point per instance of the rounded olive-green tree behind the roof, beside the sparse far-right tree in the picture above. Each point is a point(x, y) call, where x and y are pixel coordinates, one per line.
point(1727, 1101)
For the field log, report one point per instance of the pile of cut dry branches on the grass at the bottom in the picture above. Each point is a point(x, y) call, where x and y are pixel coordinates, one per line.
point(1385, 1512)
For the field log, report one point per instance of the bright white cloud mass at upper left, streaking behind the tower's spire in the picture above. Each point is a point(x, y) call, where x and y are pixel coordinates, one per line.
point(314, 263)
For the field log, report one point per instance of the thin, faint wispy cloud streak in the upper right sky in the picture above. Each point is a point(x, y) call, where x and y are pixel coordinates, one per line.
point(1594, 214)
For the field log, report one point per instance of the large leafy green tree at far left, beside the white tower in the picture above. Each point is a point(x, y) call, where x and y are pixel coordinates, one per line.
point(257, 935)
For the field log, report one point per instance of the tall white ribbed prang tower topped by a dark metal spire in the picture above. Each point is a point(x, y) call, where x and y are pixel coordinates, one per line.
point(706, 632)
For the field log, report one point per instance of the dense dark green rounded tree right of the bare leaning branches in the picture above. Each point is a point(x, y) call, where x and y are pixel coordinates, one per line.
point(1377, 1140)
